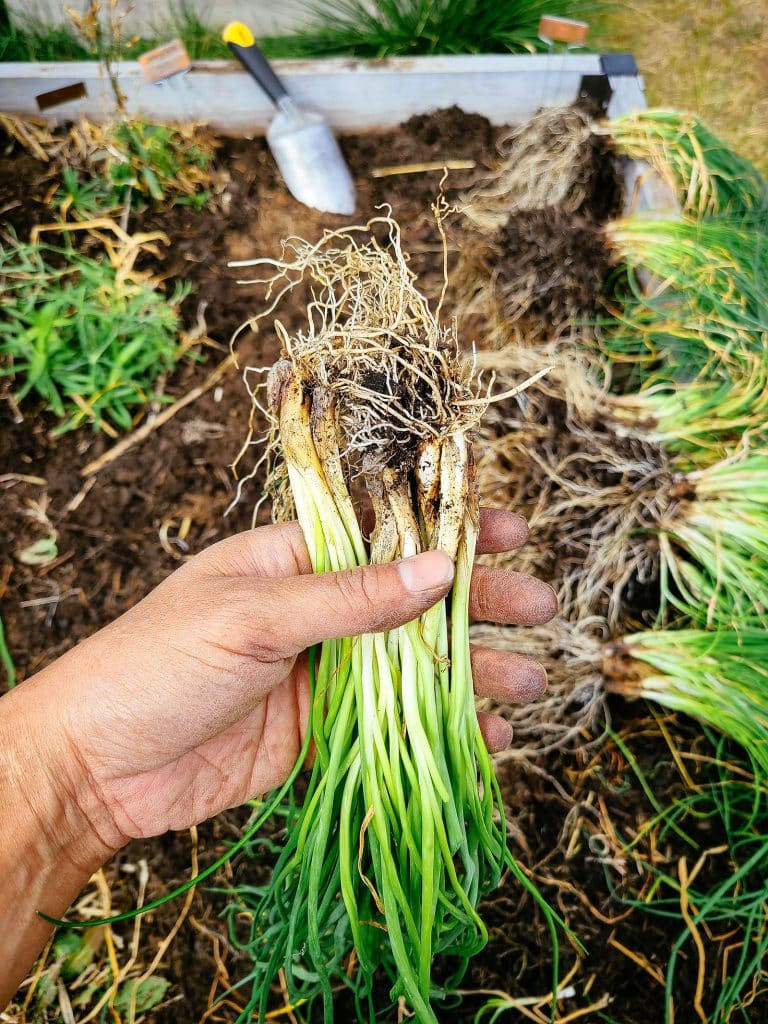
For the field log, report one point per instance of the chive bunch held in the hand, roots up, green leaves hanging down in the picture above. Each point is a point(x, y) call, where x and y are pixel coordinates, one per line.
point(402, 829)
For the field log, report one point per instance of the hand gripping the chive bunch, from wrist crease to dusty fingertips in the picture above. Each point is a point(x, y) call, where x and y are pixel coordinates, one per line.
point(197, 700)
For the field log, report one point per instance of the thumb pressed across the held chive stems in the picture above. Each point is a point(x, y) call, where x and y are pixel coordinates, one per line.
point(369, 600)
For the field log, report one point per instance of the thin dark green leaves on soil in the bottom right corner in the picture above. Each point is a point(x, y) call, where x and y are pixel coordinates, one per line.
point(727, 897)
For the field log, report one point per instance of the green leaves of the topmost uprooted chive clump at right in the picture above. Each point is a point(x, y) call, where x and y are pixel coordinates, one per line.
point(707, 176)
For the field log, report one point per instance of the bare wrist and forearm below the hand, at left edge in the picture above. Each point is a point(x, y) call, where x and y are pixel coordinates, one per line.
point(50, 847)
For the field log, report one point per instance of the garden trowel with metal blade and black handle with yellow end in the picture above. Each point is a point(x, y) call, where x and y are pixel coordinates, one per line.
point(303, 144)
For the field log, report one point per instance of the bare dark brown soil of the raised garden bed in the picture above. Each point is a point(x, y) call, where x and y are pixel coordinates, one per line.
point(109, 539)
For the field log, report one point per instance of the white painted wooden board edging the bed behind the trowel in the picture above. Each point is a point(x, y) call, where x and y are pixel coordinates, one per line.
point(355, 96)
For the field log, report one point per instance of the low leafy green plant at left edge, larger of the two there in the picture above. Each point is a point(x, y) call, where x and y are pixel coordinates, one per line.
point(82, 337)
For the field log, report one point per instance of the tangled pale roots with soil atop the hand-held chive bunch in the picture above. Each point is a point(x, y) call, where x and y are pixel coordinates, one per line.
point(398, 375)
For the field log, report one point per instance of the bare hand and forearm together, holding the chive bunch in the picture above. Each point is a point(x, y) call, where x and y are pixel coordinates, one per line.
point(197, 700)
